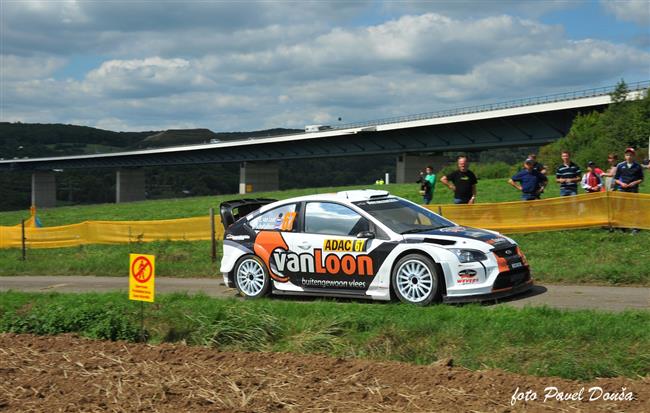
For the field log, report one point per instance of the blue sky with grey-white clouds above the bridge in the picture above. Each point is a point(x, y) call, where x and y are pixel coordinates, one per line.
point(250, 65)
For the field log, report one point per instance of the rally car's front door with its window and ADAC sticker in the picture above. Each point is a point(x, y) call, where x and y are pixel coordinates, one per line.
point(330, 252)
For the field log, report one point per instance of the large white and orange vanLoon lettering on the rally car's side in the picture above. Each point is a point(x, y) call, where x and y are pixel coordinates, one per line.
point(329, 264)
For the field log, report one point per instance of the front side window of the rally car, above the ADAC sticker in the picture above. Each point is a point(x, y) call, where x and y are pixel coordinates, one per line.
point(333, 219)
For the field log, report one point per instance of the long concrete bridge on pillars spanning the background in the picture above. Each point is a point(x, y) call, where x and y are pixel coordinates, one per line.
point(416, 140)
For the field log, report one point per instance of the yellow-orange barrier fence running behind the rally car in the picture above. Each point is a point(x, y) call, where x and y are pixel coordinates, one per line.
point(617, 209)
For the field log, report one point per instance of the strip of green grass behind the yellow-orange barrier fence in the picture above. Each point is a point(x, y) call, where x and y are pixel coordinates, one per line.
point(489, 190)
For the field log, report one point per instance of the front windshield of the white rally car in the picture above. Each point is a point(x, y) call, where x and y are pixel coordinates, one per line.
point(403, 217)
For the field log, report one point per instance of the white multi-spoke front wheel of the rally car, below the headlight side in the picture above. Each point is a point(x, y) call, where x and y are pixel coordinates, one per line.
point(415, 280)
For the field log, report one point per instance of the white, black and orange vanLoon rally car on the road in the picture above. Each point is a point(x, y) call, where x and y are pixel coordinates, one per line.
point(365, 244)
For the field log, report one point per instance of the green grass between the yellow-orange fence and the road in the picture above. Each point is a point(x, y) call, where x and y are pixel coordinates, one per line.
point(592, 256)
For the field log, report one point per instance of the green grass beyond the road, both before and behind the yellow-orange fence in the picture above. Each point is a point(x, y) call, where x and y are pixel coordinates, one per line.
point(579, 256)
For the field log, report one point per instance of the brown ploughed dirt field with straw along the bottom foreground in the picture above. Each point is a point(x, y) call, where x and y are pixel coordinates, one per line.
point(68, 373)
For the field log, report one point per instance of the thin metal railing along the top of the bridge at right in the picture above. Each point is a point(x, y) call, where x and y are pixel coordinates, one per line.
point(557, 97)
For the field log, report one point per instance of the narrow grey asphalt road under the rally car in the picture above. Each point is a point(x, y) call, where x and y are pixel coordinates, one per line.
point(559, 296)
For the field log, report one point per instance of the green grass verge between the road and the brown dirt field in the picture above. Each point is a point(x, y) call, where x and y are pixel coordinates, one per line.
point(539, 341)
